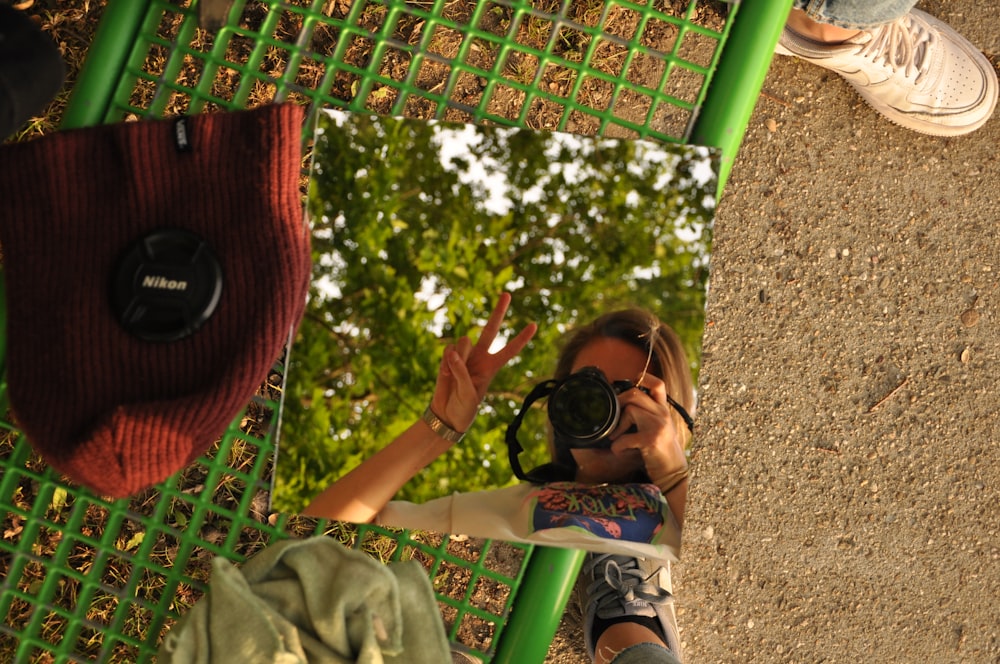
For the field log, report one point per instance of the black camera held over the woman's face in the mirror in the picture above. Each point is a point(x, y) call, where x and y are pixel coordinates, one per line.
point(583, 408)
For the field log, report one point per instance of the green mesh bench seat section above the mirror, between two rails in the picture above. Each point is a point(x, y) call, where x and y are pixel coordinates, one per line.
point(591, 67)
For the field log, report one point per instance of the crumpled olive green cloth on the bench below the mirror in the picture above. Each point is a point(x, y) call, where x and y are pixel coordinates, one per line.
point(313, 601)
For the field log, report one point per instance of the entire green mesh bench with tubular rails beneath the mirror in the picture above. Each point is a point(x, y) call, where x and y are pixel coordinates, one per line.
point(88, 579)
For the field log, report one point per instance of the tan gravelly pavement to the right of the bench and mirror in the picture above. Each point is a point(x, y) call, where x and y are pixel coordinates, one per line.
point(845, 498)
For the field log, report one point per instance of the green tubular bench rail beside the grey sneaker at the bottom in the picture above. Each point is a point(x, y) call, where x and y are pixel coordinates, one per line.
point(539, 605)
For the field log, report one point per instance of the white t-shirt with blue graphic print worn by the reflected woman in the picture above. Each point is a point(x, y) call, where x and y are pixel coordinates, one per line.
point(626, 519)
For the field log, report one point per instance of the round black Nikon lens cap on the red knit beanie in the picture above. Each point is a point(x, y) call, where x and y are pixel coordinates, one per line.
point(166, 285)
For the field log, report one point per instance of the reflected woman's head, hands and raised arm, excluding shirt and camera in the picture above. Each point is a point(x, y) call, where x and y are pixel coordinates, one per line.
point(647, 446)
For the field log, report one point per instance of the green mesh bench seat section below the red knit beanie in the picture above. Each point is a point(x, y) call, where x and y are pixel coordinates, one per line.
point(89, 579)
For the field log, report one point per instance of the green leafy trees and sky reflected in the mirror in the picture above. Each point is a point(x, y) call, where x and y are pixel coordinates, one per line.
point(418, 227)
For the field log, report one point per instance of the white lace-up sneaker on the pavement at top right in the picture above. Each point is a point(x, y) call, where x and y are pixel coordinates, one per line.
point(917, 71)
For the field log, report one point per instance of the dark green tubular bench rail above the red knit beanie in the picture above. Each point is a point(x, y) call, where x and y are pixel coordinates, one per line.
point(93, 91)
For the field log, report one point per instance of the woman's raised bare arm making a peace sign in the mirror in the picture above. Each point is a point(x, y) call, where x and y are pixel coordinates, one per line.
point(463, 378)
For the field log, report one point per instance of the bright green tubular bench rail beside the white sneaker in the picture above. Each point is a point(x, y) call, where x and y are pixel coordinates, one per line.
point(734, 89)
